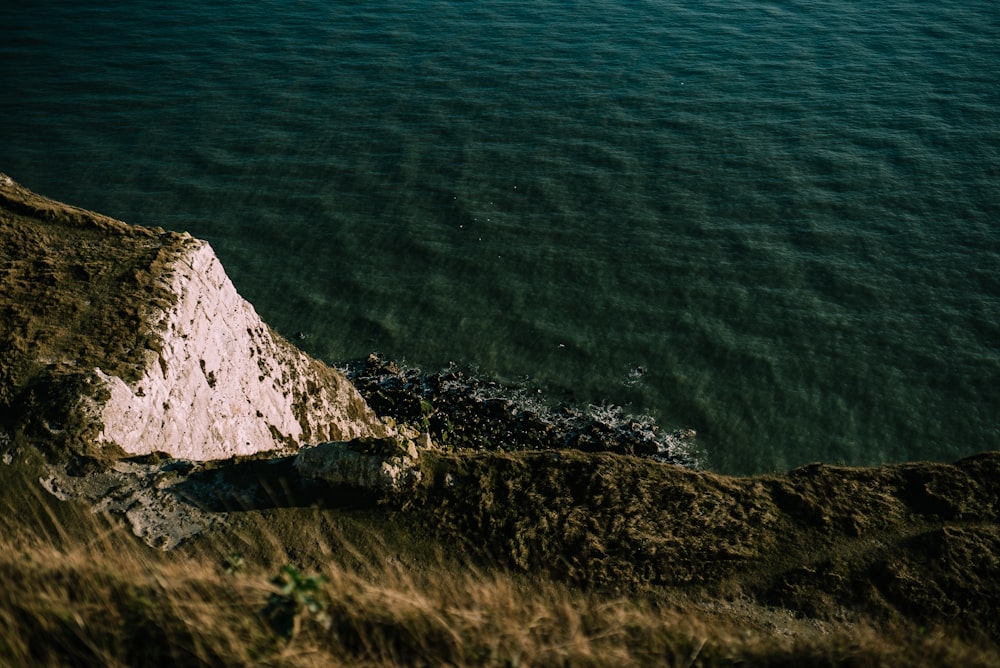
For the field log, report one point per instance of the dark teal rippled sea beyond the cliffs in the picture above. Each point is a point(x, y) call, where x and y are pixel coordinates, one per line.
point(776, 223)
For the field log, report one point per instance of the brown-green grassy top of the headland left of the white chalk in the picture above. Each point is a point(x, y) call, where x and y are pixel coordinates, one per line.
point(76, 290)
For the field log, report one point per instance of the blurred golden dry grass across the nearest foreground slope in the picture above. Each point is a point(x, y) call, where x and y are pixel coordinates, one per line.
point(80, 590)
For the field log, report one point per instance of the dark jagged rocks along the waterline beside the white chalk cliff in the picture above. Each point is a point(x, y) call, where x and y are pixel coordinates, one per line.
point(463, 412)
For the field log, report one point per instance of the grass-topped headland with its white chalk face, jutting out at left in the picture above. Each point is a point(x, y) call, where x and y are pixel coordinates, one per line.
point(116, 338)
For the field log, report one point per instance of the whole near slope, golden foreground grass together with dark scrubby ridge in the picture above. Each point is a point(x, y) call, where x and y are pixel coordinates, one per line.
point(525, 560)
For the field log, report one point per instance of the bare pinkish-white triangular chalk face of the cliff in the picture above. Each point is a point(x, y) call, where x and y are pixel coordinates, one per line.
point(224, 384)
